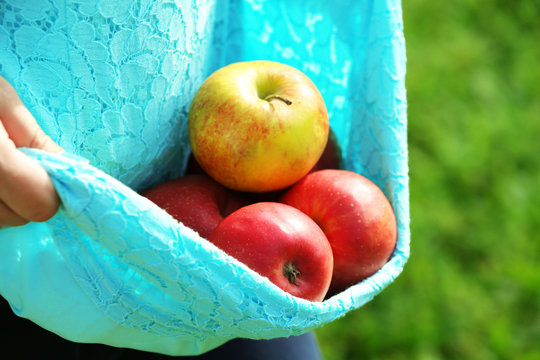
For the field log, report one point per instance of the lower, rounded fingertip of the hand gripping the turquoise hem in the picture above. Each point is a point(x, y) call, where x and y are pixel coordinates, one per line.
point(25, 187)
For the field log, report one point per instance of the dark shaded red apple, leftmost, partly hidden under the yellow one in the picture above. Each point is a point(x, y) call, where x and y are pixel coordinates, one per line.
point(195, 200)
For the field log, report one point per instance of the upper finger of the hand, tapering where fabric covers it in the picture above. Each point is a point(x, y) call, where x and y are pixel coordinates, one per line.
point(19, 122)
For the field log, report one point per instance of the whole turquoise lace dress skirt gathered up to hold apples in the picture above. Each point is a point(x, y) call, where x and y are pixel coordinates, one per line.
point(111, 82)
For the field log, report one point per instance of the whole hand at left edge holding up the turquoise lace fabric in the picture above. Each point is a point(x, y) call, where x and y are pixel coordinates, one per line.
point(26, 190)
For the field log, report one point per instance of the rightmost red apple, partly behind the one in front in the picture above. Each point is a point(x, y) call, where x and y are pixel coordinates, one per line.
point(356, 217)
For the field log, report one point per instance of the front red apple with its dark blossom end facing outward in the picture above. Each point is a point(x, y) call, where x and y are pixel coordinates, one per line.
point(280, 243)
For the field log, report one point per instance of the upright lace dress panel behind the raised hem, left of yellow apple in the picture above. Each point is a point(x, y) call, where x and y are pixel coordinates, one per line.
point(111, 80)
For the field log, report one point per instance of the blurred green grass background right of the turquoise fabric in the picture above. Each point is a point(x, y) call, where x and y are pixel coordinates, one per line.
point(471, 288)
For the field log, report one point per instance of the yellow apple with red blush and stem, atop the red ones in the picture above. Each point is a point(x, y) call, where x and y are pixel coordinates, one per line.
point(257, 126)
